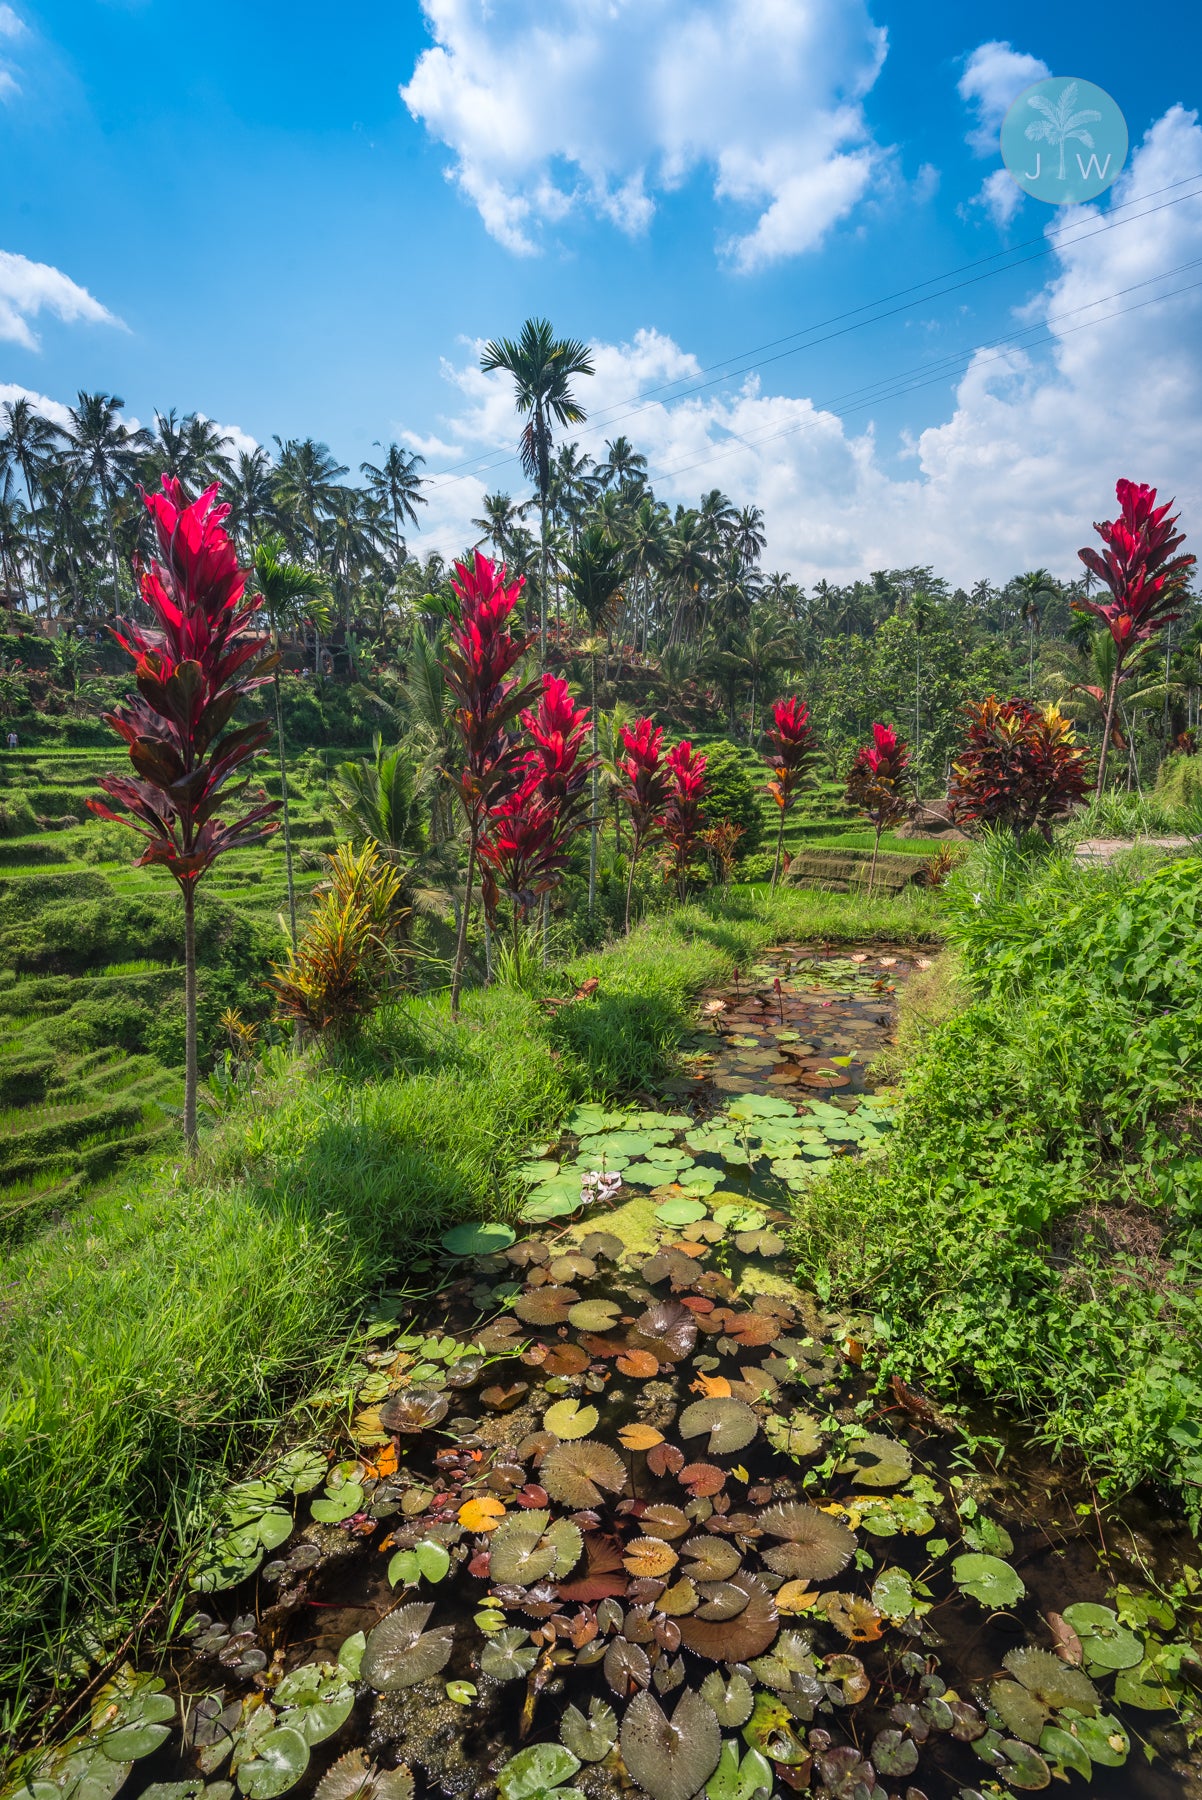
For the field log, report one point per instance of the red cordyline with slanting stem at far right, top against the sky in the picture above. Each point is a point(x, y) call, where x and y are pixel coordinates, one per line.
point(1145, 580)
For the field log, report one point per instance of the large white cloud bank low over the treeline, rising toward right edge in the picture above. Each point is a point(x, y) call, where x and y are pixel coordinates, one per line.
point(1012, 480)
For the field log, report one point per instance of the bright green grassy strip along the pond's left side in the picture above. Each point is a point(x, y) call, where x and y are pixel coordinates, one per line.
point(154, 1338)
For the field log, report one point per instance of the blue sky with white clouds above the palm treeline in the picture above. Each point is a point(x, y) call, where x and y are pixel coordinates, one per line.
point(267, 231)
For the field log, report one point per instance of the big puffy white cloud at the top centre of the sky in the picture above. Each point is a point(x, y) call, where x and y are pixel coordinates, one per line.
point(609, 103)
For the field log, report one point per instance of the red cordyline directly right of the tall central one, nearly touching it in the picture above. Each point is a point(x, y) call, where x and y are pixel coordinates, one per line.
point(525, 850)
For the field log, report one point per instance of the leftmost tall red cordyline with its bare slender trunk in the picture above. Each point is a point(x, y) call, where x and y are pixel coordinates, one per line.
point(192, 669)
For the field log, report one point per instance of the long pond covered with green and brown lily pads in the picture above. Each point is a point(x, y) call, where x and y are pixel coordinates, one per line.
point(613, 1507)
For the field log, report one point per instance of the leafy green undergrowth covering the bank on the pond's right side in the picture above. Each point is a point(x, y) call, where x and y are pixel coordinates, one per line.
point(1034, 1236)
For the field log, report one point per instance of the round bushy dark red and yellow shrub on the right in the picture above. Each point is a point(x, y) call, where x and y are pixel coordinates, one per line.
point(1021, 768)
